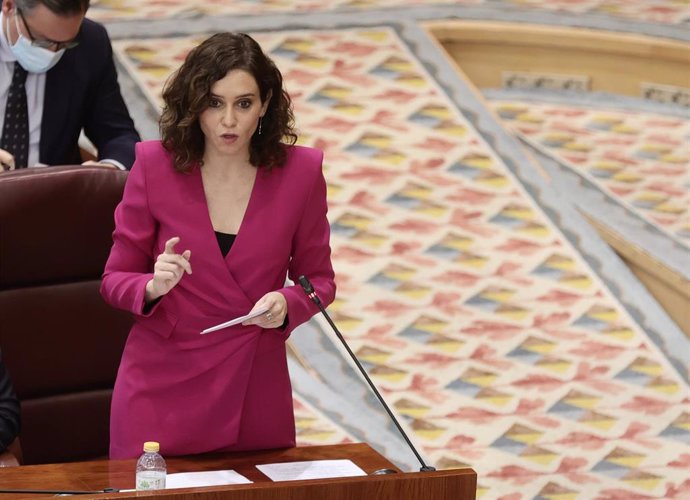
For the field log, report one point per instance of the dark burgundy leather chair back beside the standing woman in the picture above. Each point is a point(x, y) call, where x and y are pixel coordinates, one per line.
point(61, 343)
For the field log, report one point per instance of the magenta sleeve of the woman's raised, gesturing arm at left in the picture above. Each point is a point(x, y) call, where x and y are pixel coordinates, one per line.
point(130, 264)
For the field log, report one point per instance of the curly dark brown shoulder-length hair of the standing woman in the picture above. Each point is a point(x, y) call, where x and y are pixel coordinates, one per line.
point(187, 93)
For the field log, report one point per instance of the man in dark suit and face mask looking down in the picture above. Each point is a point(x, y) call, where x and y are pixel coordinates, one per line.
point(57, 76)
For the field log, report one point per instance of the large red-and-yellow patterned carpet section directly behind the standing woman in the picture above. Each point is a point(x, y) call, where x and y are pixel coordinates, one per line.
point(487, 332)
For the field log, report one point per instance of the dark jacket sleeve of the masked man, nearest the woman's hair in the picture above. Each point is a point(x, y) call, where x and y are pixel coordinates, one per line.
point(106, 121)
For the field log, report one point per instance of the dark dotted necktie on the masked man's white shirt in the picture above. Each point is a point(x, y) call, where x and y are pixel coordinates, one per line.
point(15, 130)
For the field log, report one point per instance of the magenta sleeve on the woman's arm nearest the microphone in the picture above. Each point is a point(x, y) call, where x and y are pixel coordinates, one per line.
point(311, 257)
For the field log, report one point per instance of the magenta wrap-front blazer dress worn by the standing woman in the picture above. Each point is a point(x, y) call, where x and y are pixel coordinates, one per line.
point(230, 389)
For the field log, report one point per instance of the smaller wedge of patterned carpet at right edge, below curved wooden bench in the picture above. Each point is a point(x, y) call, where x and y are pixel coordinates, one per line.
point(640, 159)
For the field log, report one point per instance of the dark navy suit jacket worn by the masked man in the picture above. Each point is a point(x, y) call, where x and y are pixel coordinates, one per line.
point(82, 91)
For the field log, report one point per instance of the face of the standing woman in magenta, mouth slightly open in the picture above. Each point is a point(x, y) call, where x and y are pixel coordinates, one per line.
point(232, 115)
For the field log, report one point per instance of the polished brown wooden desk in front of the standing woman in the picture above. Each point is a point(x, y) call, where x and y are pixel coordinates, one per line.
point(459, 484)
